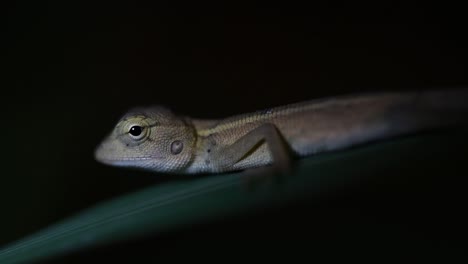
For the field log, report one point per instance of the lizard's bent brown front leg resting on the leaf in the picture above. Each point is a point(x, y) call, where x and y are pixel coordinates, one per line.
point(226, 157)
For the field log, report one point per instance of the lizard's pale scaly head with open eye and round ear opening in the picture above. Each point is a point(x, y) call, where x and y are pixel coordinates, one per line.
point(149, 138)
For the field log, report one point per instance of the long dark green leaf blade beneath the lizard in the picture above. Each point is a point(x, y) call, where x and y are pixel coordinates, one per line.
point(173, 205)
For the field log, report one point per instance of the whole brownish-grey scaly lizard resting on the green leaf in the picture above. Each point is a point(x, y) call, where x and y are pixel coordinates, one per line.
point(155, 138)
